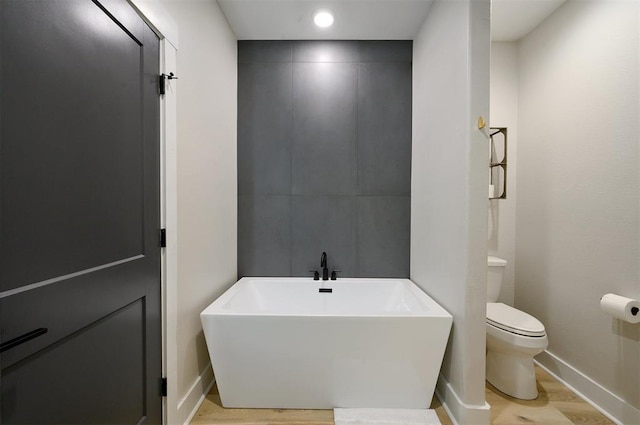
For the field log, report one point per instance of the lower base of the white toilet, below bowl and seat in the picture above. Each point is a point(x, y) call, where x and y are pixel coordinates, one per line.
point(512, 374)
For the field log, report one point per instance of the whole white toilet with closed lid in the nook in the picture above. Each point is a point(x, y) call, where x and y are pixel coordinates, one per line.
point(513, 338)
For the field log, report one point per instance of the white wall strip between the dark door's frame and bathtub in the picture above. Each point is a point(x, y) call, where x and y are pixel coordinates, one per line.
point(207, 184)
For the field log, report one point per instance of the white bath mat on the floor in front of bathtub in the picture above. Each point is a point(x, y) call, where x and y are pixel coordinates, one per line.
point(385, 417)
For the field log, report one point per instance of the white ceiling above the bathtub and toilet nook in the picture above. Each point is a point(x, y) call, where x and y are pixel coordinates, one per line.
point(367, 19)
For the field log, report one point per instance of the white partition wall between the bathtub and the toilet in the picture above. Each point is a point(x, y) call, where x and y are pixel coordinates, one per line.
point(449, 189)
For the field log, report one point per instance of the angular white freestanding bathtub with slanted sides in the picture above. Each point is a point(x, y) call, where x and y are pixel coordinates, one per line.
point(281, 343)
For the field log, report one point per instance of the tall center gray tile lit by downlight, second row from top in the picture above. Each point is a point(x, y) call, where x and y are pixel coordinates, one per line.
point(325, 129)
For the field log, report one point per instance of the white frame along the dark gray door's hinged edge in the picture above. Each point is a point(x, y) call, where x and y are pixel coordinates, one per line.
point(165, 27)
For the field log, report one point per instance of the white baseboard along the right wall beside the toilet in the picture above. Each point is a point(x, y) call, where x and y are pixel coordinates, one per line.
point(612, 406)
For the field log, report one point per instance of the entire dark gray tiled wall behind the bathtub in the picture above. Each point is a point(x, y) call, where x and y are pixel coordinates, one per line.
point(324, 157)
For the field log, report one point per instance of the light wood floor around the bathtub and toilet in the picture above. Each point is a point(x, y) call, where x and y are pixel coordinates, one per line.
point(556, 405)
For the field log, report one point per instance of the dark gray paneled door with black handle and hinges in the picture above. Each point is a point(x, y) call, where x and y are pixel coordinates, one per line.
point(79, 214)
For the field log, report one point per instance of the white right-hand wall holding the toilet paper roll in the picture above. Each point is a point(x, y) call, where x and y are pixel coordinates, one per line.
point(578, 221)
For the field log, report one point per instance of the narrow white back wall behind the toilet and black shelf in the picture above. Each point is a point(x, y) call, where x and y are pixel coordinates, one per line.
point(504, 113)
